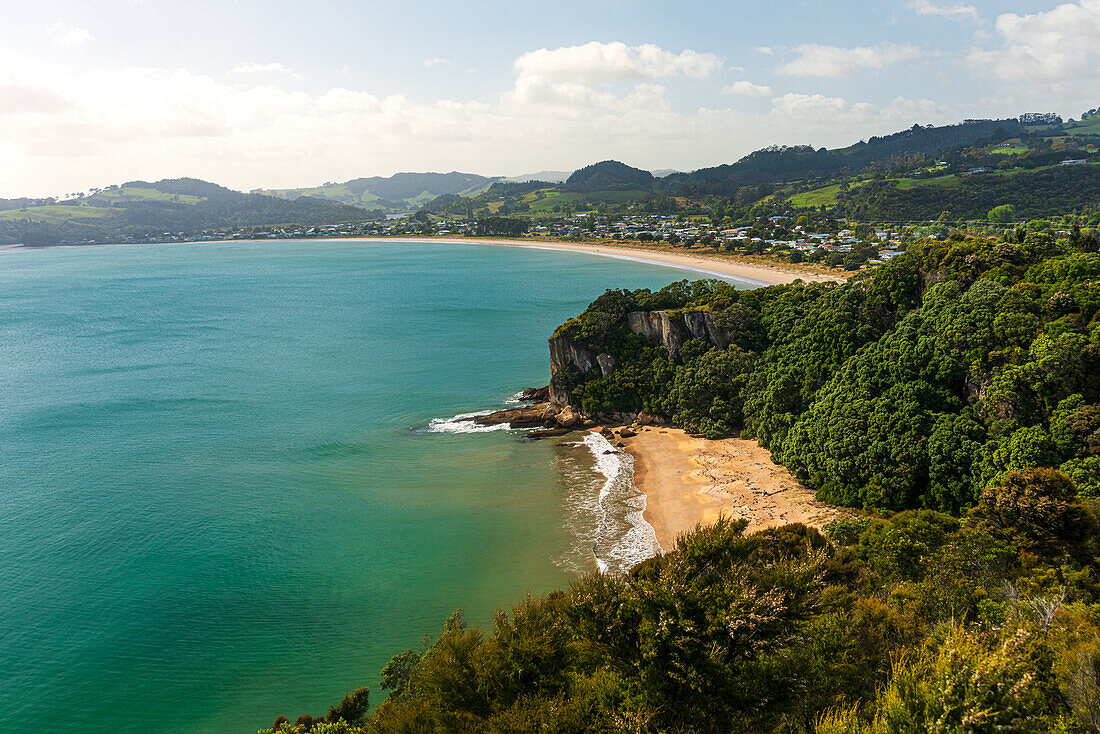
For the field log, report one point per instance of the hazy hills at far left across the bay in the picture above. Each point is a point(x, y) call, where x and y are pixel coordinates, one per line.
point(138, 210)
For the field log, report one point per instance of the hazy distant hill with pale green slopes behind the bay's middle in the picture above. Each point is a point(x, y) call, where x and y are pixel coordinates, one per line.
point(403, 191)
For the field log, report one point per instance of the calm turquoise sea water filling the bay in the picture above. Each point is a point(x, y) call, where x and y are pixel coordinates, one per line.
point(219, 501)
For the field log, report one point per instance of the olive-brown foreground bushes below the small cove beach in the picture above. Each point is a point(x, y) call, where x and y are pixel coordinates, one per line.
point(919, 622)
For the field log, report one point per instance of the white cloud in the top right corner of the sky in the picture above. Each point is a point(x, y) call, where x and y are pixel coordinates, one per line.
point(1057, 47)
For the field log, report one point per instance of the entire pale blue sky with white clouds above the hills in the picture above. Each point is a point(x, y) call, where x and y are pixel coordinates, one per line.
point(289, 93)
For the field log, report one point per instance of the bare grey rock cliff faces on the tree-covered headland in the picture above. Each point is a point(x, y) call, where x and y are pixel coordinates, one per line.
point(665, 330)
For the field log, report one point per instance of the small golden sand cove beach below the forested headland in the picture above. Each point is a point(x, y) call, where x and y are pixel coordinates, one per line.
point(692, 481)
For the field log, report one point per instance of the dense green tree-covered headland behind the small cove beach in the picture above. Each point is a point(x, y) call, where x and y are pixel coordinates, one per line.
point(915, 387)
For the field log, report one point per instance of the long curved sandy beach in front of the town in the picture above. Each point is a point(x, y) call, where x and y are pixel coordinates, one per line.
point(718, 265)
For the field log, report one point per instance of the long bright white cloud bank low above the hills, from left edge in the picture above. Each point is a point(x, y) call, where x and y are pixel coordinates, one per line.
point(67, 129)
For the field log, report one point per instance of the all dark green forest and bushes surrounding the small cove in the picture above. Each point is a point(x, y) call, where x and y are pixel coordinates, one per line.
point(956, 386)
